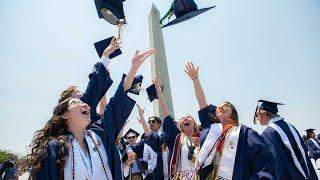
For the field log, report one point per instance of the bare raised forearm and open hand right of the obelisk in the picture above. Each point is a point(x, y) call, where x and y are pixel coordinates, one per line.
point(193, 74)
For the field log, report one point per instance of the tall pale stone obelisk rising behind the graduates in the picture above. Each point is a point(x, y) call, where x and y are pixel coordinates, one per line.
point(159, 66)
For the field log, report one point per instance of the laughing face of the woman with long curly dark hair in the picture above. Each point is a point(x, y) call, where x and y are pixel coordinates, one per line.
point(78, 114)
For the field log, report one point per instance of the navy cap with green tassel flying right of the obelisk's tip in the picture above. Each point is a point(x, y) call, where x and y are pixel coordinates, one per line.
point(184, 10)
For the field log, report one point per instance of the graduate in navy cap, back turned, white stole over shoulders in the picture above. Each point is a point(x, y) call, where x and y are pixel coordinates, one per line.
point(285, 142)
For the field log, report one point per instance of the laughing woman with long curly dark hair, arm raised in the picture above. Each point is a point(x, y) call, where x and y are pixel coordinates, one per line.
point(70, 147)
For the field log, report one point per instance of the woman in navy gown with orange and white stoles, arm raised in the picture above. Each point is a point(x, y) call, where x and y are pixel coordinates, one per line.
point(229, 150)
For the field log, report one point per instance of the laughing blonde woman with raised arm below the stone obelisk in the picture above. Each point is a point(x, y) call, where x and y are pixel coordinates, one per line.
point(182, 141)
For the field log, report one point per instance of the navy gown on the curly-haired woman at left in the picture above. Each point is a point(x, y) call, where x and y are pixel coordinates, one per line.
point(116, 113)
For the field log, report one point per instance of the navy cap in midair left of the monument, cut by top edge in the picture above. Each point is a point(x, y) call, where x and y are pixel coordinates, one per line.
point(110, 10)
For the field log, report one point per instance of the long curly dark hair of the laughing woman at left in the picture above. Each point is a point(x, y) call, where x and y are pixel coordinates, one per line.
point(56, 129)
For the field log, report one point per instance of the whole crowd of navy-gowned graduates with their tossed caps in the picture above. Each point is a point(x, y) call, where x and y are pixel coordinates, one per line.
point(79, 142)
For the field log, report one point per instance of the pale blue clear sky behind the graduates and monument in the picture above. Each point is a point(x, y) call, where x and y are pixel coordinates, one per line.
point(246, 50)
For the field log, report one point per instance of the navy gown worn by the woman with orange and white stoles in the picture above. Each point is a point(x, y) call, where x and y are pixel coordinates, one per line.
point(253, 158)
